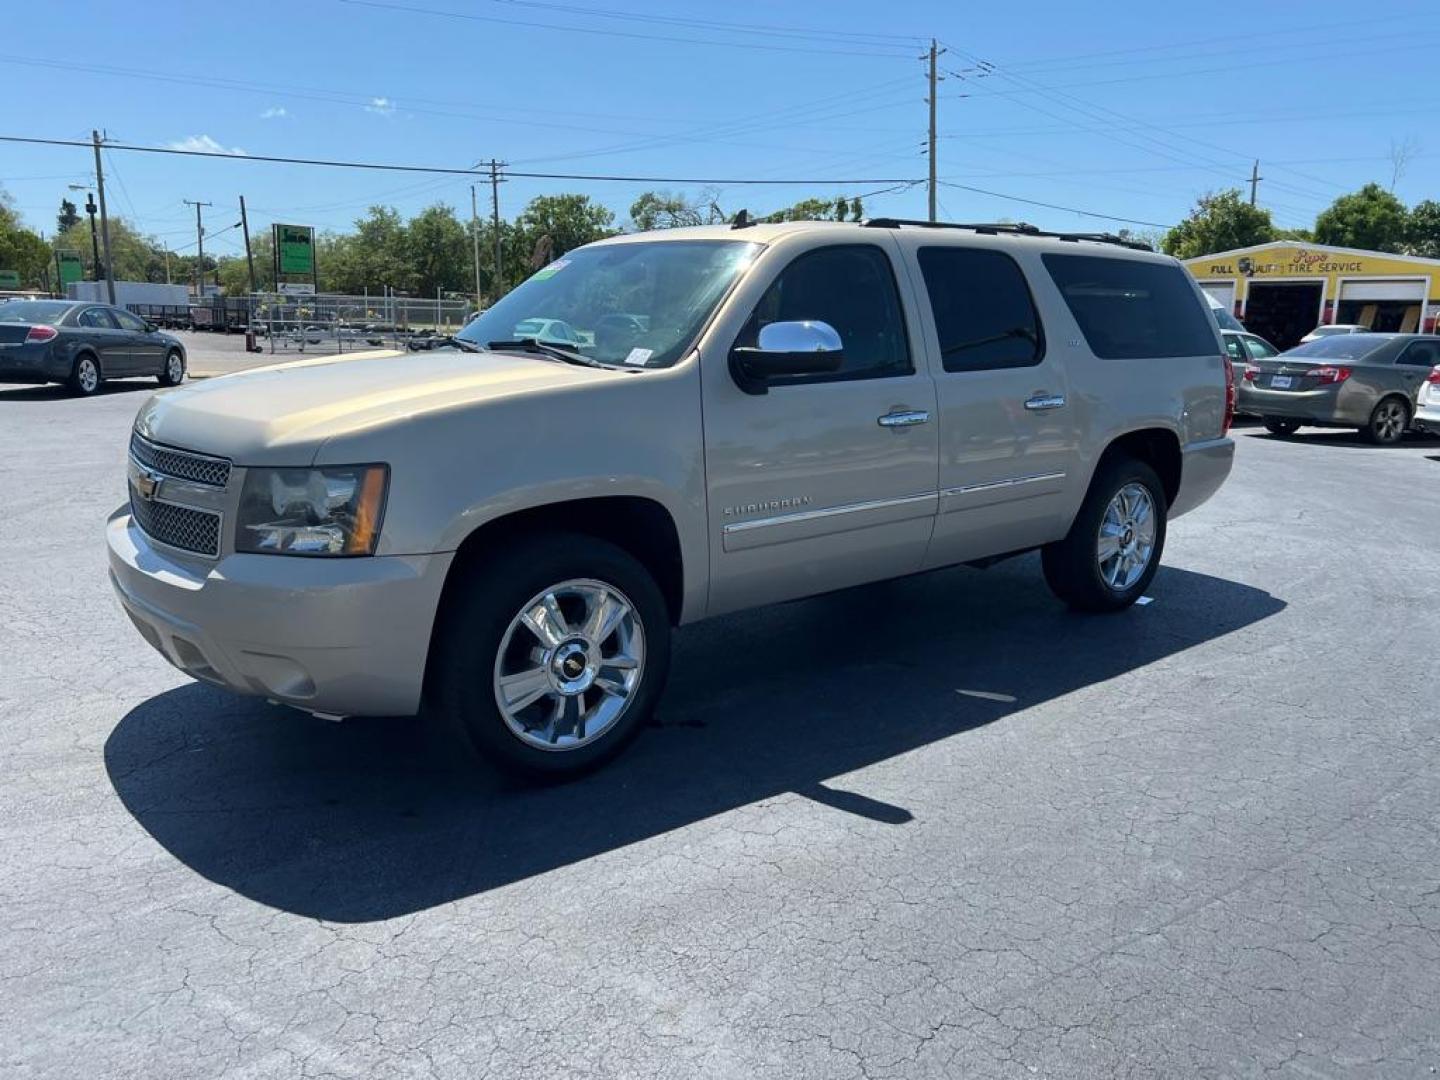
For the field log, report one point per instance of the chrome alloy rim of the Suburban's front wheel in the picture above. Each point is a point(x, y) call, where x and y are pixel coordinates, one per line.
point(570, 665)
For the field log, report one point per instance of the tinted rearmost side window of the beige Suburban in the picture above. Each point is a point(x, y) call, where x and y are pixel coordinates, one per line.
point(1133, 309)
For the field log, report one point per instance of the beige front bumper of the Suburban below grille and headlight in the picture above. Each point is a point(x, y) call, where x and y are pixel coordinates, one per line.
point(339, 637)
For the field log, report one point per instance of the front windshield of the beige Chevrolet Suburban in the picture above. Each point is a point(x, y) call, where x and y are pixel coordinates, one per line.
point(639, 305)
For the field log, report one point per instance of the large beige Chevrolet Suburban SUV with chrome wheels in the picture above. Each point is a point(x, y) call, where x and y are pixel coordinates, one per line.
point(508, 531)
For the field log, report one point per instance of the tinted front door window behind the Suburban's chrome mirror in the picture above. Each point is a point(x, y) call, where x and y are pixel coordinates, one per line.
point(853, 289)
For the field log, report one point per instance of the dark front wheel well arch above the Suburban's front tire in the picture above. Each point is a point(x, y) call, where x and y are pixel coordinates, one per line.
point(640, 526)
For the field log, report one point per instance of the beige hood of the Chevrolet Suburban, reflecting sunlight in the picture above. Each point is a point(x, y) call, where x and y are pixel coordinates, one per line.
point(284, 414)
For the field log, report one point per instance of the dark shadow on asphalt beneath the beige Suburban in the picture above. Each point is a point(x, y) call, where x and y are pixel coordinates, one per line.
point(369, 820)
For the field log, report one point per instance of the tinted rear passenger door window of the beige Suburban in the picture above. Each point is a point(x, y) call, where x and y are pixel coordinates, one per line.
point(984, 315)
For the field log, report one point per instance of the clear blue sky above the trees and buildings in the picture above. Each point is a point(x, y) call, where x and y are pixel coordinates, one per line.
point(1122, 109)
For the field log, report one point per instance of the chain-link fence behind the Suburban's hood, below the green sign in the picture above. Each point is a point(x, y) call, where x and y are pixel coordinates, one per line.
point(342, 325)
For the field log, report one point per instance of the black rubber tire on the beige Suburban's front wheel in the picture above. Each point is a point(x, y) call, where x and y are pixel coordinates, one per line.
point(473, 626)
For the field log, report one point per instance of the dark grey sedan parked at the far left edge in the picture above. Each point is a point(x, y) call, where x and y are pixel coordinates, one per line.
point(83, 345)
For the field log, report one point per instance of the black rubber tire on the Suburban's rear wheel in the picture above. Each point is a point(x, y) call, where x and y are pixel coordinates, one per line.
point(1074, 568)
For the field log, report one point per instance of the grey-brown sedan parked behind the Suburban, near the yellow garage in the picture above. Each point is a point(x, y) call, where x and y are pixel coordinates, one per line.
point(1343, 381)
